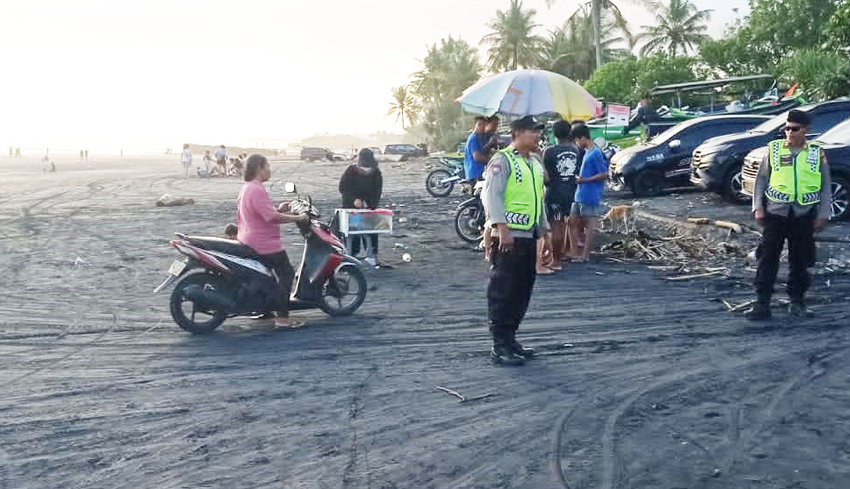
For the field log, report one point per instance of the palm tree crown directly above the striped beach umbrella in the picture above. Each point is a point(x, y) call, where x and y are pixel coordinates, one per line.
point(512, 42)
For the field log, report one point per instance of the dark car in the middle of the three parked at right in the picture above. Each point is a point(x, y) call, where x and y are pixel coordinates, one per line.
point(717, 162)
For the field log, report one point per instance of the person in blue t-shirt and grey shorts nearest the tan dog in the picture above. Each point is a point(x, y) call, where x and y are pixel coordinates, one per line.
point(587, 204)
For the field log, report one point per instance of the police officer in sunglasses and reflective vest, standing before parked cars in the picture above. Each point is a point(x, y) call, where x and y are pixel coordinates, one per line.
point(792, 201)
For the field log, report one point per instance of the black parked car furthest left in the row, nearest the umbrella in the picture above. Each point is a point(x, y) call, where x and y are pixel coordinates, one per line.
point(665, 160)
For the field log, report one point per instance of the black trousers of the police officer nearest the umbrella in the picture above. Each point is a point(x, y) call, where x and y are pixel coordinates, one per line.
point(512, 277)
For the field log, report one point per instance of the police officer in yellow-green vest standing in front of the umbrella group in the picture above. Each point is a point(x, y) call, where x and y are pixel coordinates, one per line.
point(513, 197)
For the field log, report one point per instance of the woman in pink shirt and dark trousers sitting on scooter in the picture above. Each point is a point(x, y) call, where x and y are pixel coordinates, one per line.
point(259, 227)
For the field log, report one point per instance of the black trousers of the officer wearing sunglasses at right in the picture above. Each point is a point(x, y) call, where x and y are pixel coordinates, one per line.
point(800, 233)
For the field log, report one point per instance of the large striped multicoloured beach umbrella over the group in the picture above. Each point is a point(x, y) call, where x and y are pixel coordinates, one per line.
point(530, 92)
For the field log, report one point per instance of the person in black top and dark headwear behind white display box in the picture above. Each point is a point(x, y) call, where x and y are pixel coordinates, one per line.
point(361, 186)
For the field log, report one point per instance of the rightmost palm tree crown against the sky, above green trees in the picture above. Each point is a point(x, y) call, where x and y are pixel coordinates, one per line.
point(678, 25)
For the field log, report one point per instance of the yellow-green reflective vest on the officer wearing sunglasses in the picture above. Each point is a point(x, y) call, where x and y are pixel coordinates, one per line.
point(794, 179)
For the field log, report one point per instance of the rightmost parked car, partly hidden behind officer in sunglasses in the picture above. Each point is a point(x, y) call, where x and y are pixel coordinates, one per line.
point(836, 145)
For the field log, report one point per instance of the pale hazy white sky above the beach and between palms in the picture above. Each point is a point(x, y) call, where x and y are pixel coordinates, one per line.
point(110, 74)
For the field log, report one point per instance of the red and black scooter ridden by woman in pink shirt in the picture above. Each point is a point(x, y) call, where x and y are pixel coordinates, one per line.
point(222, 278)
